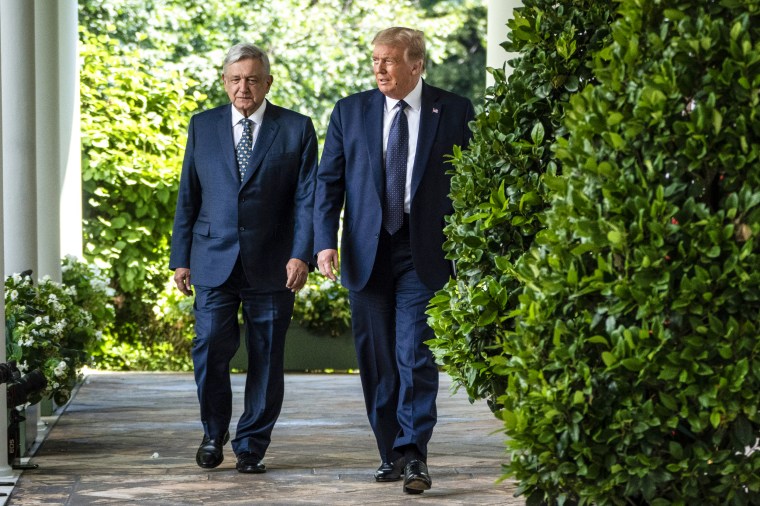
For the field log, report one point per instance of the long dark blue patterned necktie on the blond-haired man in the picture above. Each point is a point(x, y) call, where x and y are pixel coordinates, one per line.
point(396, 156)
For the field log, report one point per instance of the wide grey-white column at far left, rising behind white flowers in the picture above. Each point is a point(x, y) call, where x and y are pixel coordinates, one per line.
point(18, 85)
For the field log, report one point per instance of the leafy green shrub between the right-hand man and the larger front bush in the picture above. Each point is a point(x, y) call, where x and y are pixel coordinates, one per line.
point(497, 187)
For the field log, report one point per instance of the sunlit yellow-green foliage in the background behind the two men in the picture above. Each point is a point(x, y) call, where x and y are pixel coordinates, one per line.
point(148, 65)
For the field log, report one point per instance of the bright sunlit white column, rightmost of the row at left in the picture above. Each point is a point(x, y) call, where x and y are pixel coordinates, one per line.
point(70, 155)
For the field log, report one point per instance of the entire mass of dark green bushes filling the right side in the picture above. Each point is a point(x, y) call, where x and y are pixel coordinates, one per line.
point(608, 298)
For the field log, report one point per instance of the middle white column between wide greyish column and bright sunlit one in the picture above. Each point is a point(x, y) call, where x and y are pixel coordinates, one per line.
point(47, 134)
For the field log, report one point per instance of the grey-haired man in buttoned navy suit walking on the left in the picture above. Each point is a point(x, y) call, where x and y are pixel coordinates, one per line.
point(243, 229)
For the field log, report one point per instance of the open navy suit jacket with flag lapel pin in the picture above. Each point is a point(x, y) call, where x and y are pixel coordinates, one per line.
point(351, 169)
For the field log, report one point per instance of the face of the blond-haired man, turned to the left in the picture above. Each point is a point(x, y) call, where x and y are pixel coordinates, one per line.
point(395, 75)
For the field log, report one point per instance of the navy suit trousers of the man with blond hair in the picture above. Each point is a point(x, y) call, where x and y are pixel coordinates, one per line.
point(397, 369)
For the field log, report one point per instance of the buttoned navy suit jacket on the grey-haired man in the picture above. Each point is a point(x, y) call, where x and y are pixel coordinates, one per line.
point(266, 219)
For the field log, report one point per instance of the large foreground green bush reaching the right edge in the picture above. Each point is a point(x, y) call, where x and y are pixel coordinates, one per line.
point(634, 372)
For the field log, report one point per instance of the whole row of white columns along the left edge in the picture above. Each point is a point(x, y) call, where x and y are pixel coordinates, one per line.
point(40, 187)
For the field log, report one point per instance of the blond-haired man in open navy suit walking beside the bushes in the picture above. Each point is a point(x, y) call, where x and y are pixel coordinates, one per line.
point(384, 163)
